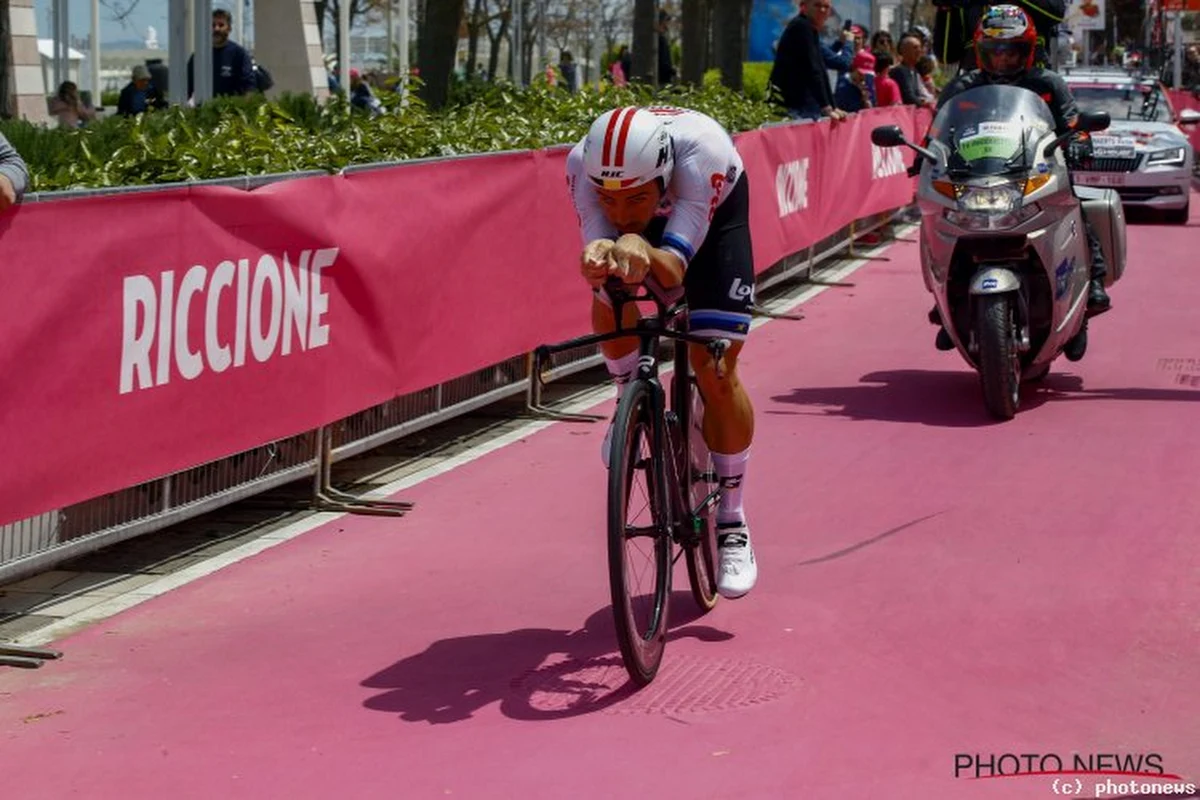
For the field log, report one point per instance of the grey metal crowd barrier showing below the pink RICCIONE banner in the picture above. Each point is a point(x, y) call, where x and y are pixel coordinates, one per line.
point(51, 539)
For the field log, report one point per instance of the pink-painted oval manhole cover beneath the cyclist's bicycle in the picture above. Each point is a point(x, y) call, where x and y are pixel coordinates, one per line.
point(686, 684)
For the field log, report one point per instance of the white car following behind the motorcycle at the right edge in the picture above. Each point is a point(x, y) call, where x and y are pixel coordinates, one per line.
point(1144, 154)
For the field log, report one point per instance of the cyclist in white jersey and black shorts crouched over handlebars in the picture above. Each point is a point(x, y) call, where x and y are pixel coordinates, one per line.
point(663, 200)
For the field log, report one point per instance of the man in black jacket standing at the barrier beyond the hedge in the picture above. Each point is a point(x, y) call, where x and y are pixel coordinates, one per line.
point(799, 80)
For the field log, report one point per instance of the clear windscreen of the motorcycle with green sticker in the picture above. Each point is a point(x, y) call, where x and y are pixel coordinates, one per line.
point(992, 130)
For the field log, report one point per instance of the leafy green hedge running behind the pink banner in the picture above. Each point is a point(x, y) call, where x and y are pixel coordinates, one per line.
point(251, 136)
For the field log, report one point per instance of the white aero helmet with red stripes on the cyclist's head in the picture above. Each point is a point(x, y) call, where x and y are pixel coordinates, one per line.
point(627, 148)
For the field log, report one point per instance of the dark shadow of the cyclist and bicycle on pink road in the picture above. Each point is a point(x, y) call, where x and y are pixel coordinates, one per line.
point(533, 673)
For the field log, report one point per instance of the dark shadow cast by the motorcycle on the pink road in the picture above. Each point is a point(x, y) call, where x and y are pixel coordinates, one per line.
point(950, 399)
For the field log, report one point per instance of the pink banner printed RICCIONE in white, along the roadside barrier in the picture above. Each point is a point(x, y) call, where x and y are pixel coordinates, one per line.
point(152, 333)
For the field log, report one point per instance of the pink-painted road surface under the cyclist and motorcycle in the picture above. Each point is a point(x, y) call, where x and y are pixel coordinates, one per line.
point(932, 585)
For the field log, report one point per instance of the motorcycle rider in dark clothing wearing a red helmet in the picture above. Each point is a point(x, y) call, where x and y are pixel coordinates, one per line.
point(1006, 44)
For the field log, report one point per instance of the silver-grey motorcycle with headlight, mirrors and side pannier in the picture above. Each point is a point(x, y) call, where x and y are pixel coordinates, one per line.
point(1004, 249)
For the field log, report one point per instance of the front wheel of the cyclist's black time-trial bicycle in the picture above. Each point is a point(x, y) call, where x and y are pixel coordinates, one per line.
point(639, 534)
